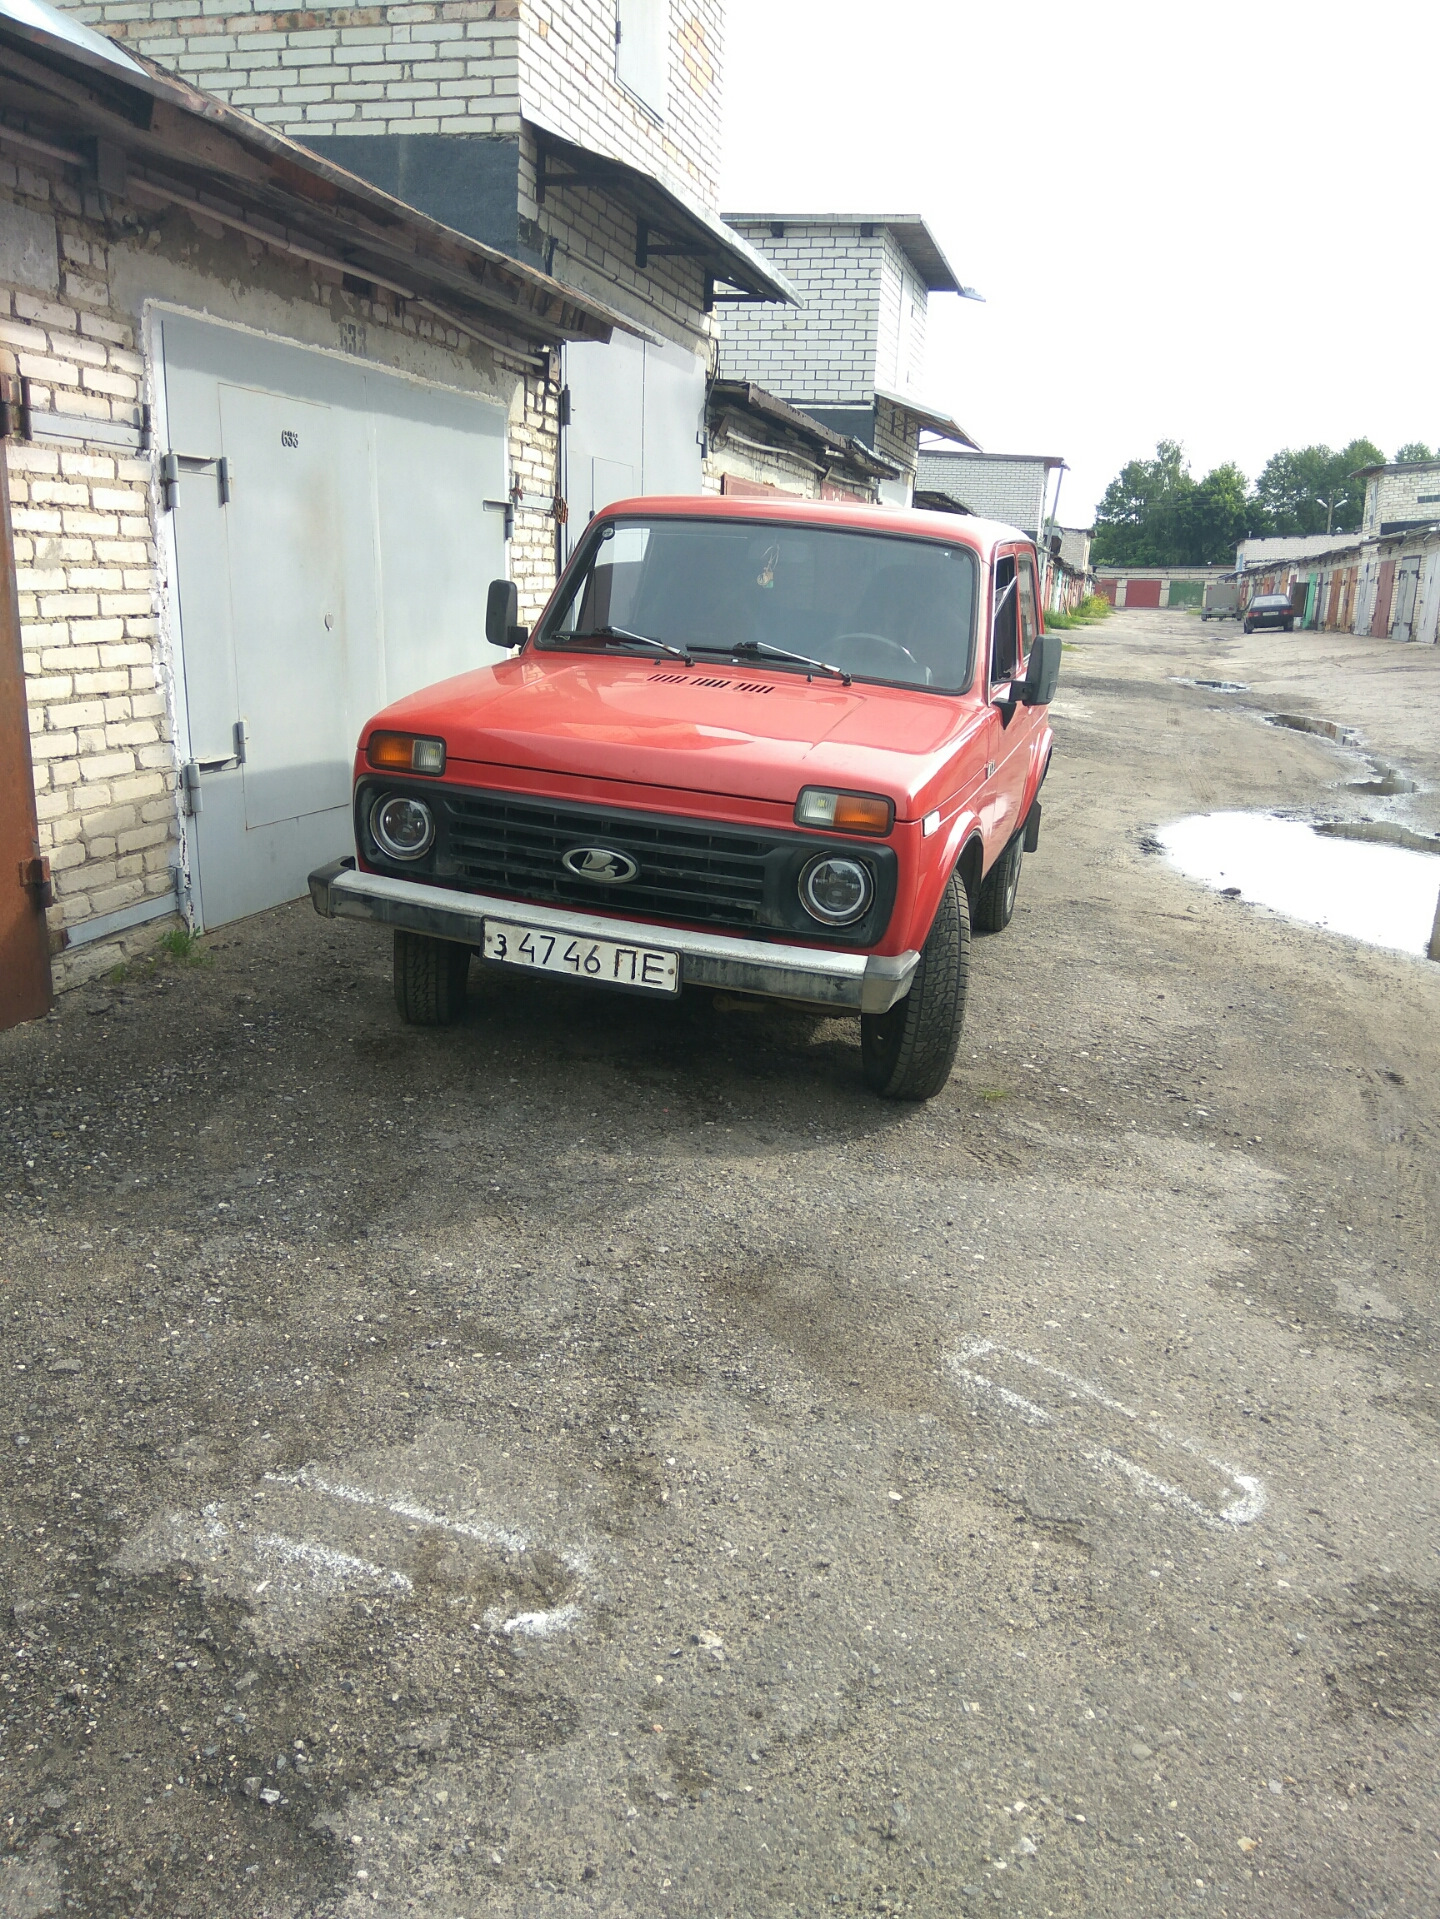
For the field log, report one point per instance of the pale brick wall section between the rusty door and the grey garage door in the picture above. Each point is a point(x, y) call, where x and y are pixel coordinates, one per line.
point(105, 765)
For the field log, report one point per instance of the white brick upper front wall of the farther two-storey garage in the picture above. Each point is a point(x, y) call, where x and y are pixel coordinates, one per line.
point(825, 352)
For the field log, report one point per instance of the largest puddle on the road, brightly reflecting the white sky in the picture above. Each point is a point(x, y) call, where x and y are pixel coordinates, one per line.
point(1368, 891)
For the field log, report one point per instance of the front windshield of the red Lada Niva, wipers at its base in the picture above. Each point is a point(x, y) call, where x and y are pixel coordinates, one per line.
point(869, 605)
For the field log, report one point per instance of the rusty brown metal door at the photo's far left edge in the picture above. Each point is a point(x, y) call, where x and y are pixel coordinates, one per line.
point(24, 874)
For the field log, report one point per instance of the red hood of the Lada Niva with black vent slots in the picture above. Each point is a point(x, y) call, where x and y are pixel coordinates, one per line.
point(744, 734)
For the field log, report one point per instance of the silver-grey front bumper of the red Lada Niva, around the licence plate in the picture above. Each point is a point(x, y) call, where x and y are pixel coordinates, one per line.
point(852, 983)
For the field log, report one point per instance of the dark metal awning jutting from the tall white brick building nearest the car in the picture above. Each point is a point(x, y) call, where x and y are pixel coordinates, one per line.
point(669, 222)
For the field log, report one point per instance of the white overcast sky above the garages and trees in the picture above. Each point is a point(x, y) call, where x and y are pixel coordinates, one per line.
point(1191, 220)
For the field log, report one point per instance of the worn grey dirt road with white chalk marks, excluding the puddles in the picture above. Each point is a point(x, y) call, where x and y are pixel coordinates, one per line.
point(604, 1463)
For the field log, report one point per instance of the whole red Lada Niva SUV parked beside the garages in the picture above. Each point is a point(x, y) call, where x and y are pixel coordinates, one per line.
point(773, 747)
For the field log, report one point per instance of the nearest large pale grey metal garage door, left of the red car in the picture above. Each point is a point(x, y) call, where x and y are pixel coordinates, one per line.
point(333, 554)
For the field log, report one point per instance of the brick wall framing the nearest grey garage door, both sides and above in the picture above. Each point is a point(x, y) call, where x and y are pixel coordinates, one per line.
point(85, 511)
